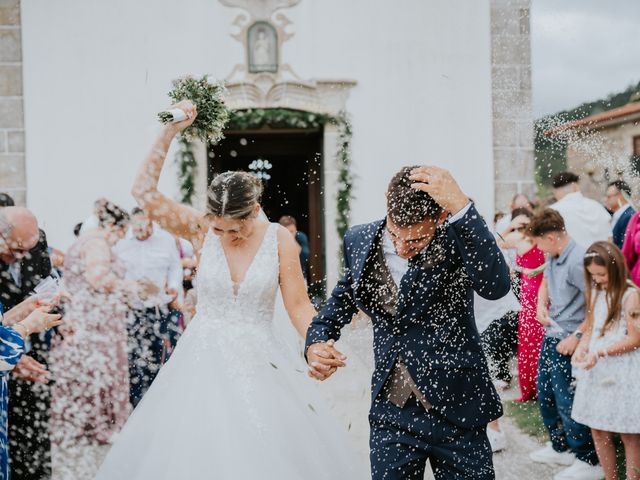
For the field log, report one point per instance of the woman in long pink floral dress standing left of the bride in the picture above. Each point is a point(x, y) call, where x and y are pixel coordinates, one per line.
point(91, 391)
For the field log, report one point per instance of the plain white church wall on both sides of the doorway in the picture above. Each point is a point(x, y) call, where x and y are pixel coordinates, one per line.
point(97, 71)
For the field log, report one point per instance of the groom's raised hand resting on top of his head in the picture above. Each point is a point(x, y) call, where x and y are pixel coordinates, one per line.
point(441, 186)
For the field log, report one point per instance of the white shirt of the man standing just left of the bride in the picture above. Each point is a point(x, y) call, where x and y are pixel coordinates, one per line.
point(156, 259)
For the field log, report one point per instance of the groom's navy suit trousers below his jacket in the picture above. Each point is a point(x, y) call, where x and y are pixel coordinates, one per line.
point(402, 439)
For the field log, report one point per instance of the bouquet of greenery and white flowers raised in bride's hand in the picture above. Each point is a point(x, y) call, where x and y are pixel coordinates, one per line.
point(207, 97)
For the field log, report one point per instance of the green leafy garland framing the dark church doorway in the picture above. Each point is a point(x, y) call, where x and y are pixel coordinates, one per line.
point(275, 118)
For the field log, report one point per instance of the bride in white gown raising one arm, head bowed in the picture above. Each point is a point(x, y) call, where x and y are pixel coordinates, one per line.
point(229, 404)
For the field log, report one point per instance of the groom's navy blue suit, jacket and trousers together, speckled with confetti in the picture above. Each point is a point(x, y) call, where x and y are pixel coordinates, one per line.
point(433, 331)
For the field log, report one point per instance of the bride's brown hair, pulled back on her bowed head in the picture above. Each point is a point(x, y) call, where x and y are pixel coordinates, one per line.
point(234, 195)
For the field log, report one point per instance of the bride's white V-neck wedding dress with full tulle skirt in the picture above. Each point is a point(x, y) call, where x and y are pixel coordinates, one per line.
point(230, 404)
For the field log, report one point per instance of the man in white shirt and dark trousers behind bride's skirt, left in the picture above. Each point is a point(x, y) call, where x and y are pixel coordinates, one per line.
point(152, 259)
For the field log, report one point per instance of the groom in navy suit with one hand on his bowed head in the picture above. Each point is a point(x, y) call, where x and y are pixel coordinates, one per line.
point(414, 274)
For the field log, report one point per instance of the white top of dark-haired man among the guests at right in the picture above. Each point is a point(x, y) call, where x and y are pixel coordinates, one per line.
point(586, 220)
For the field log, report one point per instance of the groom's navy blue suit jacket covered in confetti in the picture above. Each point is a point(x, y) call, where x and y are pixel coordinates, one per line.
point(432, 327)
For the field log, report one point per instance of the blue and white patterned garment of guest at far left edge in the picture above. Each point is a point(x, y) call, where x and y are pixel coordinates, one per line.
point(11, 349)
